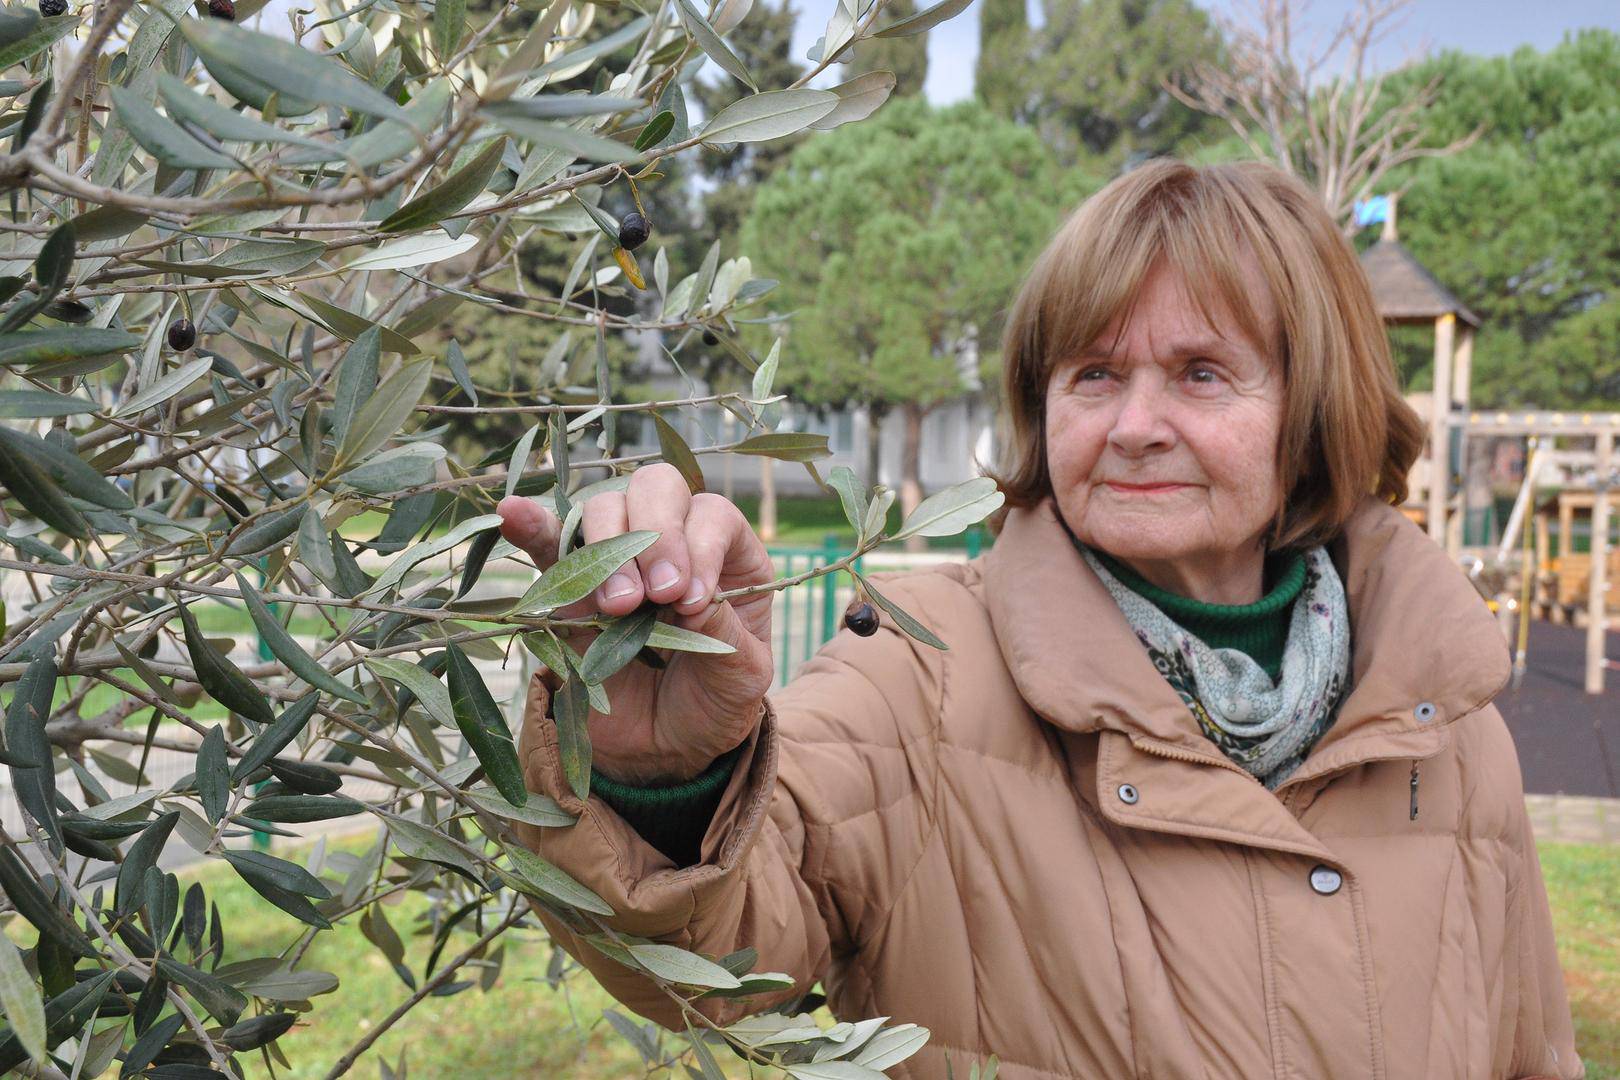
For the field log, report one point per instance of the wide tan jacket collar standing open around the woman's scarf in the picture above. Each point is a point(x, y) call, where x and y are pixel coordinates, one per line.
point(1420, 634)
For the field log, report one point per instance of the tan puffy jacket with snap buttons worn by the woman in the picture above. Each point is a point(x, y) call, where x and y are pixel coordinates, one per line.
point(1028, 846)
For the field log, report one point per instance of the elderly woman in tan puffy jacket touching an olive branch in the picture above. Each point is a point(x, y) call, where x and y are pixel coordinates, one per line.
point(1208, 784)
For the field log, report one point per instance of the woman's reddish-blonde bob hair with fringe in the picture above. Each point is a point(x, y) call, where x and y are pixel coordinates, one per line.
point(1345, 428)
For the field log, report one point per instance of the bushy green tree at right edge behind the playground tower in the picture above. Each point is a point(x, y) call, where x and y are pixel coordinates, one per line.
point(1524, 224)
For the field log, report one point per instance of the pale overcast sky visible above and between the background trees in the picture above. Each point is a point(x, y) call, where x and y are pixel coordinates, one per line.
point(1480, 27)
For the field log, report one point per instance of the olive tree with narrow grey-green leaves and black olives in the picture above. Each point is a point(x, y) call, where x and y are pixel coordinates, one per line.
point(228, 260)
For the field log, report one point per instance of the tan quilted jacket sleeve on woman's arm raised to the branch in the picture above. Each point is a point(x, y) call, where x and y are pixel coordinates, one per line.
point(816, 835)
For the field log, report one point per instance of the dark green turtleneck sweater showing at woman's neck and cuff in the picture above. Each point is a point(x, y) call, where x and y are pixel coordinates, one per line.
point(675, 819)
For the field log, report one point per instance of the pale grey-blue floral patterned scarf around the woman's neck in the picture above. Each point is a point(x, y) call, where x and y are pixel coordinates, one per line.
point(1264, 728)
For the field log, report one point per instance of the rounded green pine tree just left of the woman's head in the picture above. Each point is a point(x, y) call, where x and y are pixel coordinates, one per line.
point(900, 244)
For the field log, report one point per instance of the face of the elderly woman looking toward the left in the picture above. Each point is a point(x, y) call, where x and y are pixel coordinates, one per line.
point(1177, 402)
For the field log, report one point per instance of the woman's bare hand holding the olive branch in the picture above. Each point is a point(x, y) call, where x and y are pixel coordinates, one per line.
point(670, 725)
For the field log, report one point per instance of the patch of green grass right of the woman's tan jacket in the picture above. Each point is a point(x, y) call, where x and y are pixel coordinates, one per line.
point(1584, 885)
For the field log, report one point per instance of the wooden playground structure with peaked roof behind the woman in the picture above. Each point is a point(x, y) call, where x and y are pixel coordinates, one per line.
point(1567, 587)
